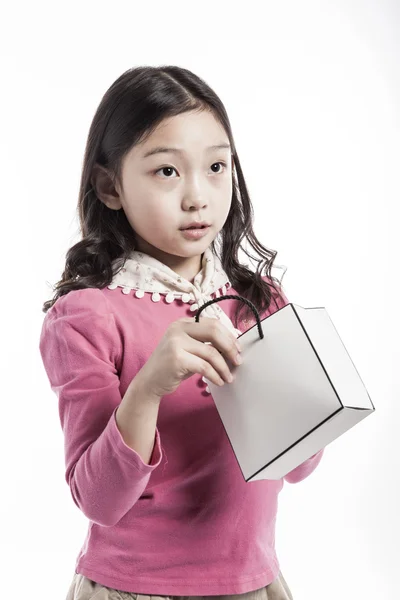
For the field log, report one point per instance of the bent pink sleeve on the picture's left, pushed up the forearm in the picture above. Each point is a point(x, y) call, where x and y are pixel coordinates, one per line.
point(80, 349)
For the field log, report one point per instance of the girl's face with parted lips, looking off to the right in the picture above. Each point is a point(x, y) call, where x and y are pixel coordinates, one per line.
point(158, 201)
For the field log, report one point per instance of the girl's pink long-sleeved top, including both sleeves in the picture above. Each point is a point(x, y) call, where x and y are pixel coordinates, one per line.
point(187, 523)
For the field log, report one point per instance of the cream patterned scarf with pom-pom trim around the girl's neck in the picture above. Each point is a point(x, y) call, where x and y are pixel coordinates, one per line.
point(143, 273)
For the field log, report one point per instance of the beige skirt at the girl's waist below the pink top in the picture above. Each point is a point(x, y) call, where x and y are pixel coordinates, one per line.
point(83, 588)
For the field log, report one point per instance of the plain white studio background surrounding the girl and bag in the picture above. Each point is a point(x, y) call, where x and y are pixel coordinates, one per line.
point(312, 90)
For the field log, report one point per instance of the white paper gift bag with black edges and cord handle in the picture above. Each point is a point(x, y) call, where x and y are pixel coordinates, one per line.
point(296, 391)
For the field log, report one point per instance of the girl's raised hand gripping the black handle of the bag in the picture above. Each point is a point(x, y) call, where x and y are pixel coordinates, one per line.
point(182, 352)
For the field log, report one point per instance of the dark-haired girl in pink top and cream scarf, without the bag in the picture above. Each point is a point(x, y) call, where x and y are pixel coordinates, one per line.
point(147, 458)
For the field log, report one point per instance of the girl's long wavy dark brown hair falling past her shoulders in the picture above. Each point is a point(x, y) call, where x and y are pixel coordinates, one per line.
point(129, 111)
